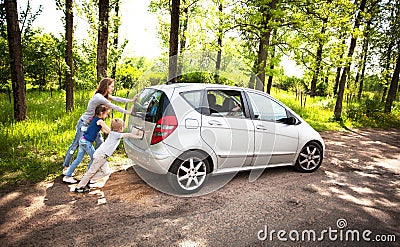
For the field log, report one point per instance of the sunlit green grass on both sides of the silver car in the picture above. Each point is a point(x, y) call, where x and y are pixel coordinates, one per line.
point(33, 150)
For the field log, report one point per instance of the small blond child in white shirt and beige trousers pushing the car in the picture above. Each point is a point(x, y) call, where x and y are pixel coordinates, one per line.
point(99, 167)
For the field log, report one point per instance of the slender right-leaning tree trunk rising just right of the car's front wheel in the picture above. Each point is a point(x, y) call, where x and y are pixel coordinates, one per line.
point(342, 83)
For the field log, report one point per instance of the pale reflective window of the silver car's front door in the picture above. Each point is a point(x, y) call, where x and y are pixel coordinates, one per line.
point(265, 108)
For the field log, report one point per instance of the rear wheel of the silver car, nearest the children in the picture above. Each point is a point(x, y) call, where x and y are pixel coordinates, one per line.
point(189, 172)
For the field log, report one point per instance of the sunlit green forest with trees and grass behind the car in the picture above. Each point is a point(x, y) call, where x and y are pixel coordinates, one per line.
point(348, 51)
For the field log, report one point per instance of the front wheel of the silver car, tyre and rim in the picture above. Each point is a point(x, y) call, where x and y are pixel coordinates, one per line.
point(309, 158)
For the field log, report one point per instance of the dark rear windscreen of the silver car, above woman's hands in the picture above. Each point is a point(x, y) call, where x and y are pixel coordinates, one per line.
point(152, 104)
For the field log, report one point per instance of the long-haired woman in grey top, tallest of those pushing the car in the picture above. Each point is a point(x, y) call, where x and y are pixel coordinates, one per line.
point(101, 96)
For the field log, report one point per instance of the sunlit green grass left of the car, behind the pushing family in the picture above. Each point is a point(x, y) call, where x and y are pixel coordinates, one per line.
point(33, 150)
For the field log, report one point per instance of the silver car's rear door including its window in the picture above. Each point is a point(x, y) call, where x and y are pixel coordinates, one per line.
point(227, 129)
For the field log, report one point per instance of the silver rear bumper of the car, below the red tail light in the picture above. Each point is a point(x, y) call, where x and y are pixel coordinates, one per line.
point(156, 161)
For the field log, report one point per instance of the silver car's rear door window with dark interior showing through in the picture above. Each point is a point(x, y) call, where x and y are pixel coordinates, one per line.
point(226, 103)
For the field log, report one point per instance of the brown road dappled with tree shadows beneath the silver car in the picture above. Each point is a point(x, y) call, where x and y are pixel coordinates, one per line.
point(354, 197)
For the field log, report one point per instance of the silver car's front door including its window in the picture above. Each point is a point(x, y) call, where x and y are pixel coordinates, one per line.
point(276, 138)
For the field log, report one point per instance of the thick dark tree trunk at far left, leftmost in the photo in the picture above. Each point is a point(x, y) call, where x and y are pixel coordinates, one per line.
point(15, 49)
